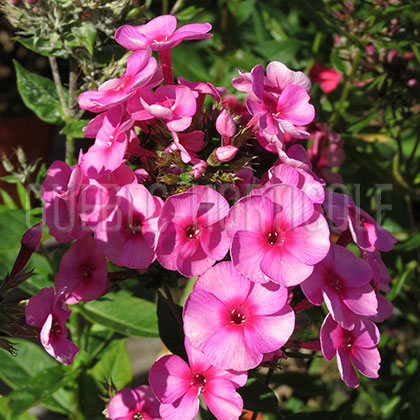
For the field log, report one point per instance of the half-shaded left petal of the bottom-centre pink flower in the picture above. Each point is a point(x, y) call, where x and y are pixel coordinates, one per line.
point(170, 378)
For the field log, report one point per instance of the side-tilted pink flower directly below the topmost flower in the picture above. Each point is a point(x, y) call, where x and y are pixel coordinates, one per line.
point(141, 69)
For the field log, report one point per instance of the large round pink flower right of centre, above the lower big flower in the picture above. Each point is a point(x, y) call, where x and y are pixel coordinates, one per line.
point(277, 236)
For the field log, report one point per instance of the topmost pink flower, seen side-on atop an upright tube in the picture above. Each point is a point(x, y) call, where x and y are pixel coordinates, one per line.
point(160, 34)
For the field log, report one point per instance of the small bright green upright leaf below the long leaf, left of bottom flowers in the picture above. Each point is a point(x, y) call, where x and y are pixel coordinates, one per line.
point(114, 365)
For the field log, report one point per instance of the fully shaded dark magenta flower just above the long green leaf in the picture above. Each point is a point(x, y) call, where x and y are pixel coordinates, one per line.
point(83, 271)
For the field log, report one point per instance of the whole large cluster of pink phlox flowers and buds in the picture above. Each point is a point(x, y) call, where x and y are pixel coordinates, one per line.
point(255, 244)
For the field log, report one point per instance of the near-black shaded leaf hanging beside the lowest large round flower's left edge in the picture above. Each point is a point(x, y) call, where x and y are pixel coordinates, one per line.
point(170, 326)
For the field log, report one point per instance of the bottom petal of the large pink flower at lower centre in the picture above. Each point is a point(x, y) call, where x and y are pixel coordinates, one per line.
point(227, 349)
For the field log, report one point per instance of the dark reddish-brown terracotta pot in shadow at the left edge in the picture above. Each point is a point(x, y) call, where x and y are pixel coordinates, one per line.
point(33, 135)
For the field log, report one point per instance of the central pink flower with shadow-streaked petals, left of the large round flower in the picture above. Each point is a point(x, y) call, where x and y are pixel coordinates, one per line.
point(191, 231)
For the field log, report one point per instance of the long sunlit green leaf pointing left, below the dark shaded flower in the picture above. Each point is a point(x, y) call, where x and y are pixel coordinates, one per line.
point(125, 314)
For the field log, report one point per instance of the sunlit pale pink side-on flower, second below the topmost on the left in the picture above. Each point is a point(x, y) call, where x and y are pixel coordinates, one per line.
point(107, 154)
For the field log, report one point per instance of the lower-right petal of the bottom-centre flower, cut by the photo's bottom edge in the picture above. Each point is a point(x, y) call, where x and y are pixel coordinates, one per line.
point(222, 399)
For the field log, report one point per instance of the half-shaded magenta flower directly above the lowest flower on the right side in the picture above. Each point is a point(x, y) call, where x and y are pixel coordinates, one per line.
point(342, 281)
